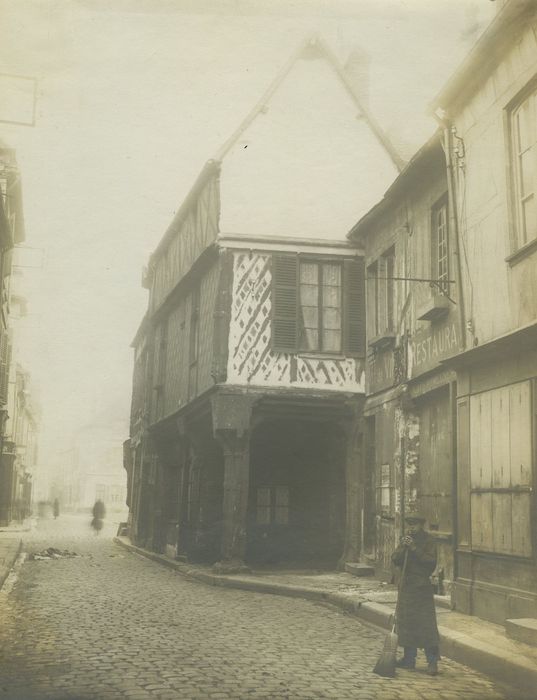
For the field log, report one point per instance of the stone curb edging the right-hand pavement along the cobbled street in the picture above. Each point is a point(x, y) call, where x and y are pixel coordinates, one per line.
point(460, 647)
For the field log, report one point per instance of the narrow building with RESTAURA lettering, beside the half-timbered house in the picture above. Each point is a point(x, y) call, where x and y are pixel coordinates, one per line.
point(413, 323)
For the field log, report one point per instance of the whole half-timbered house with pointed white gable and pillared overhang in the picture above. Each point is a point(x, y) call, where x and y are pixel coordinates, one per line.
point(249, 376)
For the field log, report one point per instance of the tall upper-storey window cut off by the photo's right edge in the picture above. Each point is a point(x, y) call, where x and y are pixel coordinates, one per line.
point(524, 132)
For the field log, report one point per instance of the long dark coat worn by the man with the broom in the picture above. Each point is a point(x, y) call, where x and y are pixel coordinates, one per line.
point(416, 615)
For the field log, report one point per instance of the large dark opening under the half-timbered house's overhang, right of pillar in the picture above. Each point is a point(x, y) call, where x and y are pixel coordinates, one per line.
point(297, 494)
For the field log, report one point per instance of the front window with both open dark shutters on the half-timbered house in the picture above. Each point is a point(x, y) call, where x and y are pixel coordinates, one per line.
point(317, 305)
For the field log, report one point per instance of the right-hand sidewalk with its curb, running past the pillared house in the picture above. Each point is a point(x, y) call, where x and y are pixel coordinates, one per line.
point(469, 640)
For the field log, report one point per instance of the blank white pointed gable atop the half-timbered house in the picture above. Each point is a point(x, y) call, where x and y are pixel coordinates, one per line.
point(309, 160)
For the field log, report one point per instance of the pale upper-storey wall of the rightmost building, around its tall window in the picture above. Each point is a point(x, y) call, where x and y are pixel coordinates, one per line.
point(500, 297)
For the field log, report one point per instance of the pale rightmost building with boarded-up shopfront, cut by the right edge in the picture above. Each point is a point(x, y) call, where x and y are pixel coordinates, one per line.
point(490, 109)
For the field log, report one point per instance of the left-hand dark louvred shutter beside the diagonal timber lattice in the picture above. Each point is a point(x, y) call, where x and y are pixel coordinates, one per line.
point(284, 303)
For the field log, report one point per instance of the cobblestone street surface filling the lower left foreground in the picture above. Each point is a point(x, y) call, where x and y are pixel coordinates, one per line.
point(110, 624)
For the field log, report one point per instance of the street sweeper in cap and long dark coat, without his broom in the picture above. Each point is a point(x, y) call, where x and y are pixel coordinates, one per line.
point(416, 614)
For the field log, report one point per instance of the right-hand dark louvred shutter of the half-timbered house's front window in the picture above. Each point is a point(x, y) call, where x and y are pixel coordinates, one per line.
point(354, 307)
